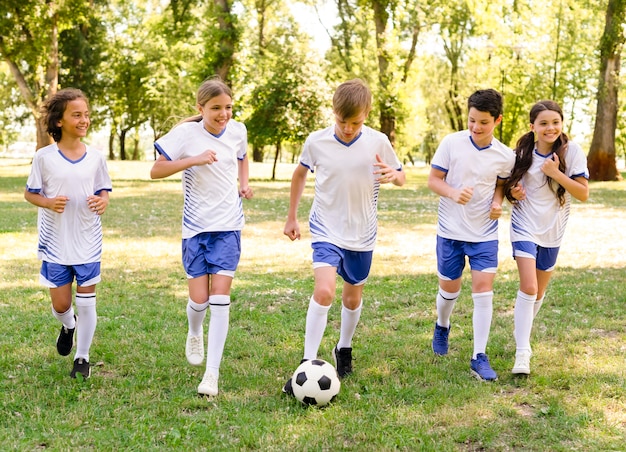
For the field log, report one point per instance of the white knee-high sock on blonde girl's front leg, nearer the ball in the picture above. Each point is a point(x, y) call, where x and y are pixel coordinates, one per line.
point(218, 330)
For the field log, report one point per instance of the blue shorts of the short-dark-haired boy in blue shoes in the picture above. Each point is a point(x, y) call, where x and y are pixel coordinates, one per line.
point(483, 257)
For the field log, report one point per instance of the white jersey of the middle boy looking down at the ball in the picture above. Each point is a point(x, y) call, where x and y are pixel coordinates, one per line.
point(344, 210)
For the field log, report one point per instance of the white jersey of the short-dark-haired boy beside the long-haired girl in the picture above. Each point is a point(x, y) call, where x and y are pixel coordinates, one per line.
point(466, 165)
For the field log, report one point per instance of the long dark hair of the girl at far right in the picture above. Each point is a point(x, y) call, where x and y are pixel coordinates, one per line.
point(525, 148)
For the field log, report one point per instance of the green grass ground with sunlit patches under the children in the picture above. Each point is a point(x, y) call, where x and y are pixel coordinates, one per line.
point(142, 394)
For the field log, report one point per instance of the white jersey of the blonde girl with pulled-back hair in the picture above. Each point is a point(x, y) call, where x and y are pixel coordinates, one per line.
point(211, 194)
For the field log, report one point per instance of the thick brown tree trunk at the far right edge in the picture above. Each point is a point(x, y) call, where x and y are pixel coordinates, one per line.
point(601, 159)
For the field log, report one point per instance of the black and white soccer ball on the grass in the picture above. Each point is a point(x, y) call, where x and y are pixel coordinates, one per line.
point(315, 382)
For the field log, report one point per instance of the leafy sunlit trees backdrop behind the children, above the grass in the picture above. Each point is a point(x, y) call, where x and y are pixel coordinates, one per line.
point(140, 63)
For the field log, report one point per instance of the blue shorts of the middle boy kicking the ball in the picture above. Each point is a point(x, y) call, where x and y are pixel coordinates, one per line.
point(352, 266)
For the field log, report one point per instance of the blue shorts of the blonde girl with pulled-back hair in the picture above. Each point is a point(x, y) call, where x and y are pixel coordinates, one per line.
point(212, 253)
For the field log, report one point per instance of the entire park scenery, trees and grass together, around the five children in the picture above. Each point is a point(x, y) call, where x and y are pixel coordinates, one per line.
point(140, 63)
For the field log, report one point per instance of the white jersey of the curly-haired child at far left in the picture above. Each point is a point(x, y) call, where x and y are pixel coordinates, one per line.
point(73, 237)
